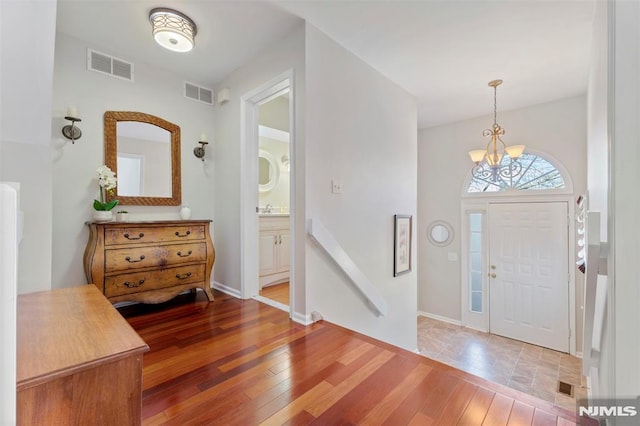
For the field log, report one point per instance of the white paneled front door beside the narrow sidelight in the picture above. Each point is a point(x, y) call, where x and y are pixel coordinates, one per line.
point(528, 273)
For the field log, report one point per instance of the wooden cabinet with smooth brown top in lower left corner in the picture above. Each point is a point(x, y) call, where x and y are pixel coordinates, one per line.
point(78, 360)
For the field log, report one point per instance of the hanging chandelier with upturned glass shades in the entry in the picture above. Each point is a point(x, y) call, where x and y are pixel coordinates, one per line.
point(489, 161)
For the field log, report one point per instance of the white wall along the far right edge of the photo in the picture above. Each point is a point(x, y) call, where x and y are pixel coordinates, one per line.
point(614, 106)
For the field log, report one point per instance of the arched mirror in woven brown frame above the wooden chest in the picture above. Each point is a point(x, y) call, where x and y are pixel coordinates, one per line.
point(144, 152)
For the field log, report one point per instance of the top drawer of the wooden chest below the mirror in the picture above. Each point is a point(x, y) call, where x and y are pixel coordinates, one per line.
point(128, 235)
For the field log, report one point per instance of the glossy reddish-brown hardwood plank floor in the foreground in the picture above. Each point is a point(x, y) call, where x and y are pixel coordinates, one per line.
point(236, 362)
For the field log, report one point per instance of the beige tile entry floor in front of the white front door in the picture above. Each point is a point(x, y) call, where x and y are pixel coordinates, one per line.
point(522, 366)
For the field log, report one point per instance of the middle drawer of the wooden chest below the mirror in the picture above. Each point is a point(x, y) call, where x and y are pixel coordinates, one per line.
point(126, 258)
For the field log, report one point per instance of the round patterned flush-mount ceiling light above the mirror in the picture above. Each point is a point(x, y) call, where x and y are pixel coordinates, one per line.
point(173, 30)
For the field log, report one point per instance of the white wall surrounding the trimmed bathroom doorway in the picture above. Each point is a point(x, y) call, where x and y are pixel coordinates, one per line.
point(282, 56)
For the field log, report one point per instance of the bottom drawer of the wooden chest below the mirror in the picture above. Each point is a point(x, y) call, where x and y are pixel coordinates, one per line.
point(135, 282)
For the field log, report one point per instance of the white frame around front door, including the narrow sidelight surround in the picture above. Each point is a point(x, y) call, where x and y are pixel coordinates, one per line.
point(480, 204)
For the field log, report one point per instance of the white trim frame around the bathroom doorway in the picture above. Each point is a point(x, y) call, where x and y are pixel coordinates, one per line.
point(249, 104)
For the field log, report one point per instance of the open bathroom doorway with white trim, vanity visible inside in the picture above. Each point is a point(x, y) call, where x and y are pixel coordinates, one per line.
point(267, 205)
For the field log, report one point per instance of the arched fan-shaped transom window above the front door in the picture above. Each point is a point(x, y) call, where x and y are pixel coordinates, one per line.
point(537, 174)
